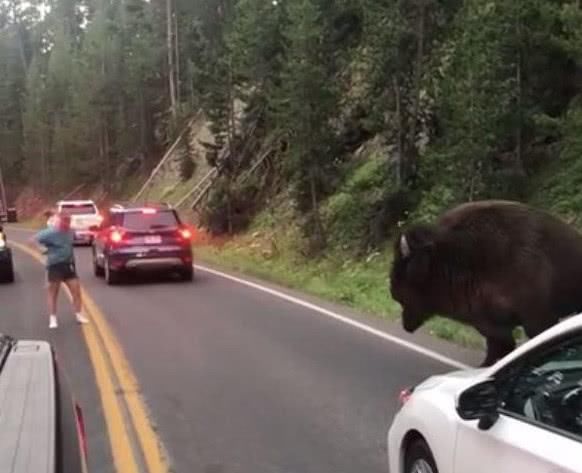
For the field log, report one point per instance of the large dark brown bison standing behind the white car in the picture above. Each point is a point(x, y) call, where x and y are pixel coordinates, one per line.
point(492, 264)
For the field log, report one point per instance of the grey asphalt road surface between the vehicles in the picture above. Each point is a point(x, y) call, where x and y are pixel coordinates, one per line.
point(236, 380)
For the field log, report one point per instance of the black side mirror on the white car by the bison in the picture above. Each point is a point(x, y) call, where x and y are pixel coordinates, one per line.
point(480, 402)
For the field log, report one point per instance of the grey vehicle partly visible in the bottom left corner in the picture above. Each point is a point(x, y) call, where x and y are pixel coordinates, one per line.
point(41, 426)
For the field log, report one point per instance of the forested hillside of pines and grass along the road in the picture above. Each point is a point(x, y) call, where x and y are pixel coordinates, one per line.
point(332, 124)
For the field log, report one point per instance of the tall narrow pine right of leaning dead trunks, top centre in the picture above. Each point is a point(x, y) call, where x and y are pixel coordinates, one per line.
point(305, 104)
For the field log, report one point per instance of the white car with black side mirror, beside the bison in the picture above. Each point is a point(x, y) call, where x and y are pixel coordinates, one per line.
point(521, 415)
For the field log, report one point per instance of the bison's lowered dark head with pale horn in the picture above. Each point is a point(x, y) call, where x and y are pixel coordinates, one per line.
point(410, 274)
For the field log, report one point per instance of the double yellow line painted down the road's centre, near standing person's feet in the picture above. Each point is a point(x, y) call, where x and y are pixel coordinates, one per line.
point(120, 393)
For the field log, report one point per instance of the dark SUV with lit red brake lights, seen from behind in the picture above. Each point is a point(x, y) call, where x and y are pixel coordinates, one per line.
point(142, 238)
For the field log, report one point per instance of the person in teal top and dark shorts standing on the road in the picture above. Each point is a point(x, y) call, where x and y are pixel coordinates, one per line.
point(60, 266)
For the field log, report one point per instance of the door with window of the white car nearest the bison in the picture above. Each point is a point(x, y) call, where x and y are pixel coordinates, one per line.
point(540, 425)
